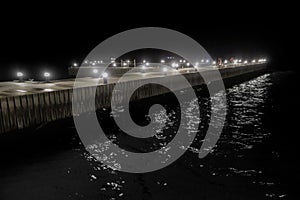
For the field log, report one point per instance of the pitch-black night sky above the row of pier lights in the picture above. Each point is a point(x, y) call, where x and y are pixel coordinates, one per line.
point(36, 39)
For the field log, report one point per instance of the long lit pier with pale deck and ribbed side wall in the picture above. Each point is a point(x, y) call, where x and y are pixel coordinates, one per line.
point(29, 103)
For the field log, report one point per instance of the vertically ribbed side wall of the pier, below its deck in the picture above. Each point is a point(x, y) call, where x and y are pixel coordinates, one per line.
point(18, 112)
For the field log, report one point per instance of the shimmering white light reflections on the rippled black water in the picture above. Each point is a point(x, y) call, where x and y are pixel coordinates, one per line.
point(242, 132)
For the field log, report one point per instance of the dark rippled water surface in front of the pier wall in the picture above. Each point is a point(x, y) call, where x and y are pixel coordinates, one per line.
point(255, 157)
